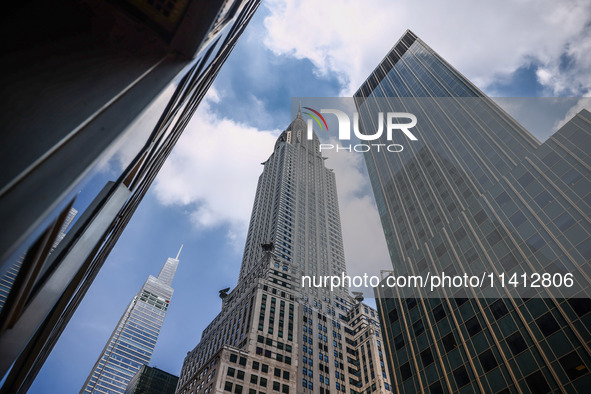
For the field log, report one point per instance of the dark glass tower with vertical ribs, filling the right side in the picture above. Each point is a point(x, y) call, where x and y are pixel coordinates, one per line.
point(476, 193)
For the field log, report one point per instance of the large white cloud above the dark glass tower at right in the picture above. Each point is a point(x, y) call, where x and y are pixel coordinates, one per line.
point(486, 41)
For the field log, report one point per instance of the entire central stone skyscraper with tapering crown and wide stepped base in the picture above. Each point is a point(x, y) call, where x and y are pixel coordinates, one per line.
point(273, 334)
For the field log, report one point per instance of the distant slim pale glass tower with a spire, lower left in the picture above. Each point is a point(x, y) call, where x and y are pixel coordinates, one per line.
point(132, 342)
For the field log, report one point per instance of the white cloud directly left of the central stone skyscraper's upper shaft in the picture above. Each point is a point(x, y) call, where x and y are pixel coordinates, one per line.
point(213, 170)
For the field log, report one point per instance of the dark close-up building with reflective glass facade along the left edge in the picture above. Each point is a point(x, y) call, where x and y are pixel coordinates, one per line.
point(99, 92)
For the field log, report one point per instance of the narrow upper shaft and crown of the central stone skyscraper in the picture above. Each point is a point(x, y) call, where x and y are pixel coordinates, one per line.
point(296, 210)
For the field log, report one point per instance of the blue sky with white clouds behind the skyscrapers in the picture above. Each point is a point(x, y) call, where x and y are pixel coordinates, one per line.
point(203, 195)
